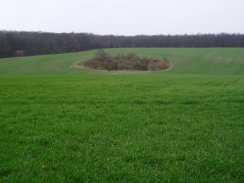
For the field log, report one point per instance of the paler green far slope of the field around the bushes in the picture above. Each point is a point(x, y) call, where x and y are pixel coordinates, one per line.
point(185, 60)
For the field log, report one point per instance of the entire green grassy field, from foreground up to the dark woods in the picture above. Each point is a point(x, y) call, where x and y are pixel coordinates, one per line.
point(63, 124)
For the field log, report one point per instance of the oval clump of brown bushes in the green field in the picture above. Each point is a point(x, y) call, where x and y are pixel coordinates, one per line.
point(129, 62)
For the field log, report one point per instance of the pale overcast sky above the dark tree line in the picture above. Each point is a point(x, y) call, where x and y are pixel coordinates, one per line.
point(124, 17)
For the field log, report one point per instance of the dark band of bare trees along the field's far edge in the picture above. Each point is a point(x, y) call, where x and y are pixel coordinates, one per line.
point(14, 43)
